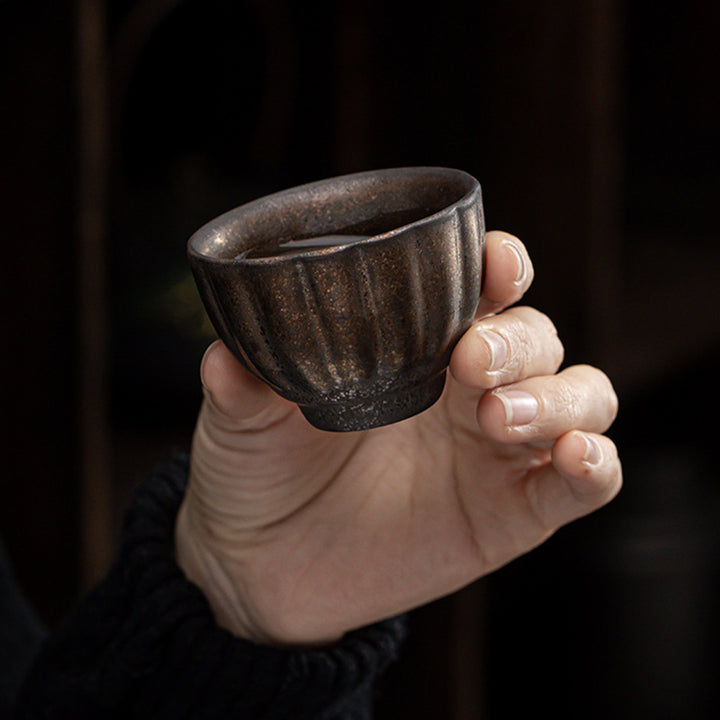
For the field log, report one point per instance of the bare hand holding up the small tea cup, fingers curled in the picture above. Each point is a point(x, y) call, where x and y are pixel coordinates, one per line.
point(297, 535)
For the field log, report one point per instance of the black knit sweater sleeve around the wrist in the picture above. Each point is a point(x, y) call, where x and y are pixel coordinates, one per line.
point(144, 644)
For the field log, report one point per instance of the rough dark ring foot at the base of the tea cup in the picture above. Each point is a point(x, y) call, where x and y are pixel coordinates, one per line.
point(378, 411)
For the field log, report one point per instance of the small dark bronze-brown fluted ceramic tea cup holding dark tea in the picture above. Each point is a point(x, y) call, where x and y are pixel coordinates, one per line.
point(347, 295)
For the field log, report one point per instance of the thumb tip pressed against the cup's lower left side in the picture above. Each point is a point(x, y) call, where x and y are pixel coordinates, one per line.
point(236, 398)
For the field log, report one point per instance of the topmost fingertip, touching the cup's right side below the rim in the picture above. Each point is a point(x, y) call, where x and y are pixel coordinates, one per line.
point(508, 273)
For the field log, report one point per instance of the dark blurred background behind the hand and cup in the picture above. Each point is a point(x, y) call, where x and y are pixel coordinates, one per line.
point(594, 129)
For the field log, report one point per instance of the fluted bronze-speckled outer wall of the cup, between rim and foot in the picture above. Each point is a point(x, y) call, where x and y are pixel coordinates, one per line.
point(357, 322)
